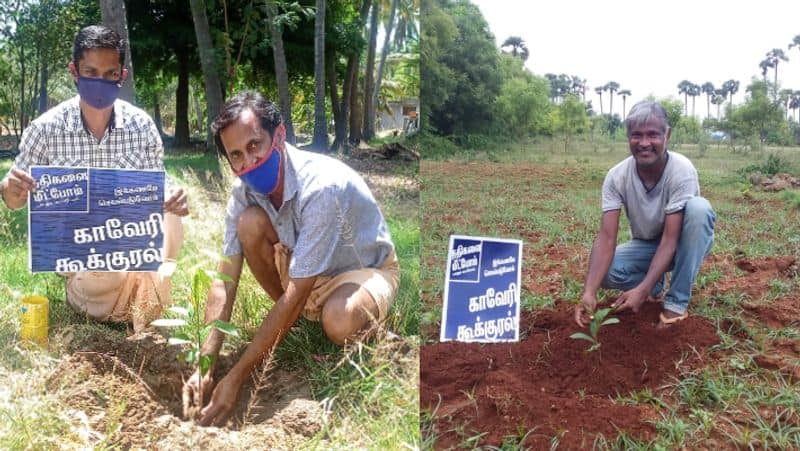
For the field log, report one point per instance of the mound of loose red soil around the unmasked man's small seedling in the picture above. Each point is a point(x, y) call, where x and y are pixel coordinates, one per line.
point(548, 382)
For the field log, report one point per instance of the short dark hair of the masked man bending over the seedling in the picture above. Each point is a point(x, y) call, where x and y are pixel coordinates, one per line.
point(267, 112)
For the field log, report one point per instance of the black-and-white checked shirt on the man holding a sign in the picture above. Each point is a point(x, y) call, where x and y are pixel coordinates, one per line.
point(59, 138)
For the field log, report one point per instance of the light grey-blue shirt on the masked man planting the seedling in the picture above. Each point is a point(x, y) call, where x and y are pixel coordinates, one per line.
point(329, 218)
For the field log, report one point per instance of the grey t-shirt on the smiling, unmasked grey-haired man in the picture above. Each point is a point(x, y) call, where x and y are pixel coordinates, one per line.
point(647, 209)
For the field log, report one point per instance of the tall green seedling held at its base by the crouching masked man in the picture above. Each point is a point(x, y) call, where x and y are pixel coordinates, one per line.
point(195, 330)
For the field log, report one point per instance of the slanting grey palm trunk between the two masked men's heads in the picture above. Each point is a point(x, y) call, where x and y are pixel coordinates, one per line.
point(205, 48)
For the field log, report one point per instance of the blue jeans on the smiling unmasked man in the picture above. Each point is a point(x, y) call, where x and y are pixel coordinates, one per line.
point(632, 259)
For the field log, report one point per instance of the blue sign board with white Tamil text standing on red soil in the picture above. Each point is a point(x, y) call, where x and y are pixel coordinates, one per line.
point(482, 290)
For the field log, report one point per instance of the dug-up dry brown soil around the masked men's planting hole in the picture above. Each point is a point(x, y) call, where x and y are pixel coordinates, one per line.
point(129, 392)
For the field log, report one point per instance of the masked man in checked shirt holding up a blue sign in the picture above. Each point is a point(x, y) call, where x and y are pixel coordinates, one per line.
point(96, 129)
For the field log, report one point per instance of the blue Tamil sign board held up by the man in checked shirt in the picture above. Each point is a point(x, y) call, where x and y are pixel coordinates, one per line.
point(91, 219)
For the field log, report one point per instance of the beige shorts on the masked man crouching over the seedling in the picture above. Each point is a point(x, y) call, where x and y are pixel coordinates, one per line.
point(381, 283)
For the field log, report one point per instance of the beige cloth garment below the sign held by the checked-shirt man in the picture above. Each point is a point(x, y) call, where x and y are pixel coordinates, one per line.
point(140, 297)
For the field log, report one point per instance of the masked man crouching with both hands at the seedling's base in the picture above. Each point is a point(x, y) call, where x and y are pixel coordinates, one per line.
point(312, 234)
